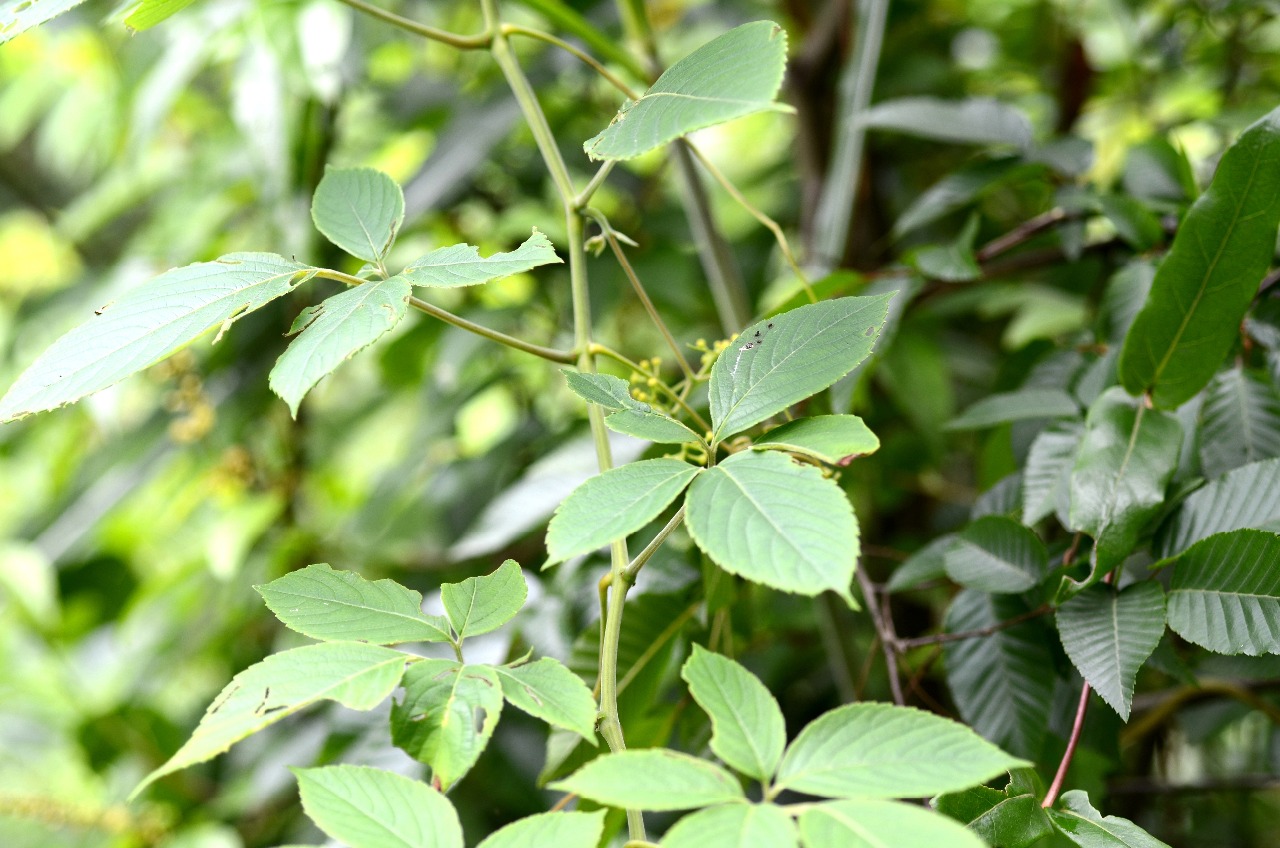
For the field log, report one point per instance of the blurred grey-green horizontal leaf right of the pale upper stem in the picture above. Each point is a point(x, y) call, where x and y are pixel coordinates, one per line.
point(977, 121)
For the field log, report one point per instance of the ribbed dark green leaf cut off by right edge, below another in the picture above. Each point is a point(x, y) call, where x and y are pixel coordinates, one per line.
point(1226, 594)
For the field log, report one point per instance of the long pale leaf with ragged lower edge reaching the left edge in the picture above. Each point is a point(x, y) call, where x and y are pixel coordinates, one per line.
point(148, 325)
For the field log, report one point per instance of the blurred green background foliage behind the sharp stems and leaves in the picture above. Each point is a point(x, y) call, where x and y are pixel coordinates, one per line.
point(135, 525)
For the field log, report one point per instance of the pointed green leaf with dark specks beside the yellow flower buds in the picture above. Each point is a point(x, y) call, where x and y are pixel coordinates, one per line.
point(780, 362)
